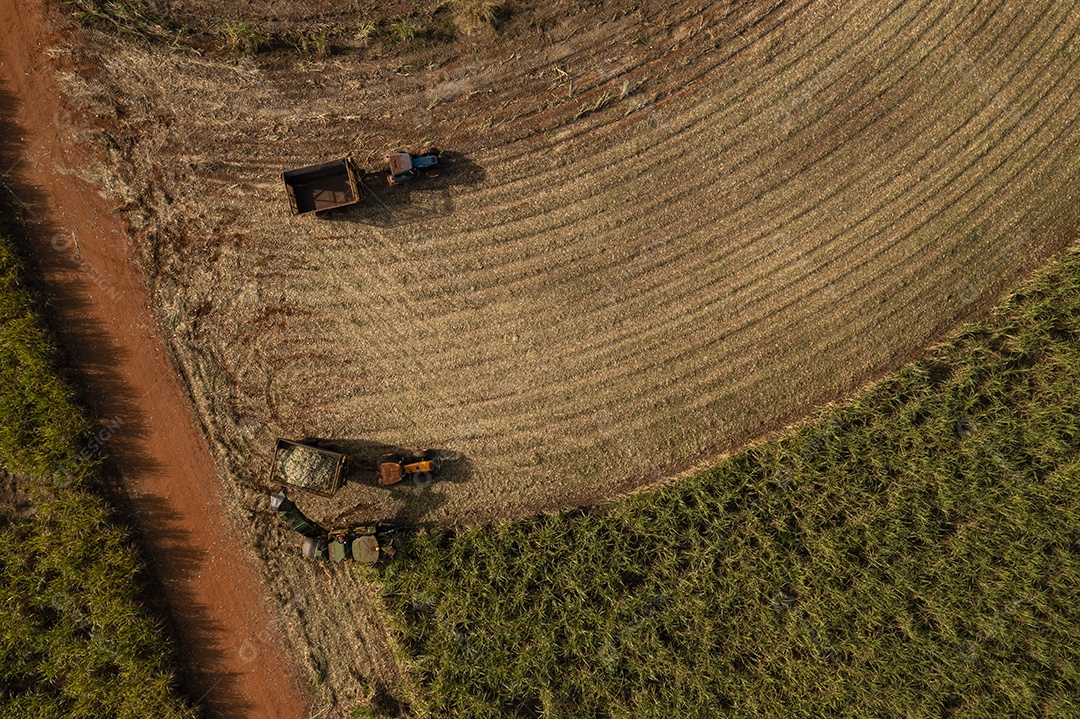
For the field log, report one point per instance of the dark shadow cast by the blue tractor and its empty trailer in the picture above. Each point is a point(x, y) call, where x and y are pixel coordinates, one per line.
point(426, 198)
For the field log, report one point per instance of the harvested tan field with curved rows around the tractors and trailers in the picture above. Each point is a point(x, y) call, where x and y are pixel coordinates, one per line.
point(772, 205)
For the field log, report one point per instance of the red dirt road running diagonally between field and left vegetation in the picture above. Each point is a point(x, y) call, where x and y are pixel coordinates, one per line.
point(228, 640)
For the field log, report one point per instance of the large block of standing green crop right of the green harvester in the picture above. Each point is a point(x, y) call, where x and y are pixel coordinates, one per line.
point(914, 552)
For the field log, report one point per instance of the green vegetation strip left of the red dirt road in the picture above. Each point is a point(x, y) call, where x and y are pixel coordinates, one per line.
point(75, 641)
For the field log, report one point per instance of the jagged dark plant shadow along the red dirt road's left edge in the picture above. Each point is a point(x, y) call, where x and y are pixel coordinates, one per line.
point(88, 360)
